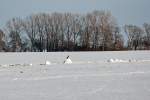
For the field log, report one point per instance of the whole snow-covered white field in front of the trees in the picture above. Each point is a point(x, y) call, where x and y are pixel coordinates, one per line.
point(92, 76)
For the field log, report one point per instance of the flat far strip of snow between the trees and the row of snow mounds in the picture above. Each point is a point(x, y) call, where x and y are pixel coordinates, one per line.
point(77, 57)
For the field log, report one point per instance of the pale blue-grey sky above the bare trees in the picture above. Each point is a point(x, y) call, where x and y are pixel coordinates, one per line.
point(126, 11)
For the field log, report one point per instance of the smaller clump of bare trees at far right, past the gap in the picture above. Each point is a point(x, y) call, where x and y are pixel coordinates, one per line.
point(138, 37)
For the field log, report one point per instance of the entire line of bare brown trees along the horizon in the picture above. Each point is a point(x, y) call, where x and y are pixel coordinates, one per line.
point(94, 31)
